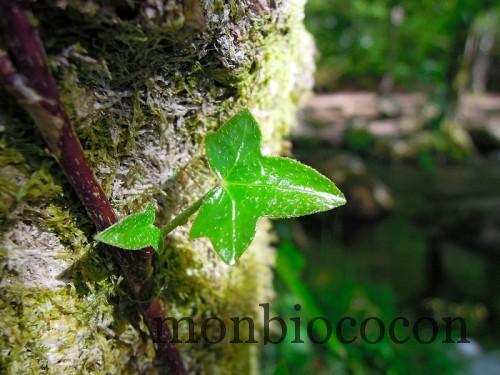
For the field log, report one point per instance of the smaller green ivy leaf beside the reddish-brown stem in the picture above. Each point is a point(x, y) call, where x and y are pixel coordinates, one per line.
point(134, 232)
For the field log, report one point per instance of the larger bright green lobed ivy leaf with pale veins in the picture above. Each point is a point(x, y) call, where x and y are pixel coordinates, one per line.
point(252, 186)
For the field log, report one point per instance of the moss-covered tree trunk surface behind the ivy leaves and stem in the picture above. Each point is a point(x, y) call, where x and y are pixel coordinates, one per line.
point(143, 84)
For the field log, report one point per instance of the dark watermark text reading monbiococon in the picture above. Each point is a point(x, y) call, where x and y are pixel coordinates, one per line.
point(347, 330)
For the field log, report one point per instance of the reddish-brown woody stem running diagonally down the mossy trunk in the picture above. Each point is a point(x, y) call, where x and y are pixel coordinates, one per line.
point(25, 74)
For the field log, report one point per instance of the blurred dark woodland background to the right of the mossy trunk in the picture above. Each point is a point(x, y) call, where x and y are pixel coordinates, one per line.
point(406, 120)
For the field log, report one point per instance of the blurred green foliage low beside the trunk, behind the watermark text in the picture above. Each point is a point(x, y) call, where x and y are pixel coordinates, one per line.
point(348, 297)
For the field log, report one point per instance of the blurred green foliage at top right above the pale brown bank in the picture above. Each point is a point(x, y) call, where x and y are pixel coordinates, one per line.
point(417, 44)
